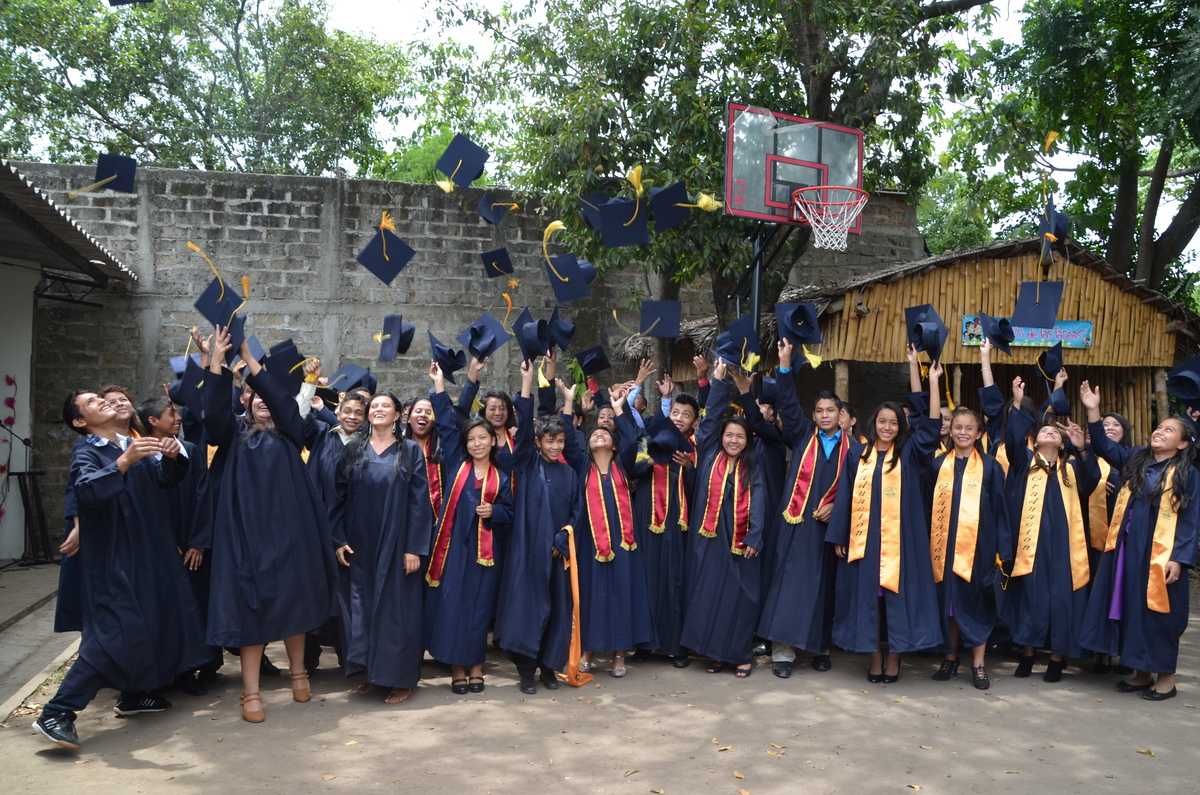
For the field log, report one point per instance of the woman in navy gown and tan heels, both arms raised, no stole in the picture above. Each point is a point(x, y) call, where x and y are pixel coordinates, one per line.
point(273, 559)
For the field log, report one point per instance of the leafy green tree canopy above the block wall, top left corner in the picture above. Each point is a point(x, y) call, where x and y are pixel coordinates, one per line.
point(217, 85)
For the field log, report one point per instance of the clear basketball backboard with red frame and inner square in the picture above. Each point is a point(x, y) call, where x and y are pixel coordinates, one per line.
point(770, 156)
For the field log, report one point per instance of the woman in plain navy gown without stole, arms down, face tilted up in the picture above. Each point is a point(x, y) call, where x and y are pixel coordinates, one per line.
point(382, 525)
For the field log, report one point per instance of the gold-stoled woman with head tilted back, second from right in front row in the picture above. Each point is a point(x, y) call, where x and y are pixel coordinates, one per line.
point(1048, 589)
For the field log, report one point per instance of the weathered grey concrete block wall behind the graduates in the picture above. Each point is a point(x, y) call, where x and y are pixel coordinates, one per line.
point(297, 240)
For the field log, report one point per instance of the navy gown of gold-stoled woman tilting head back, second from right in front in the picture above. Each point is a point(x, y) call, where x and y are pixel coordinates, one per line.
point(1042, 608)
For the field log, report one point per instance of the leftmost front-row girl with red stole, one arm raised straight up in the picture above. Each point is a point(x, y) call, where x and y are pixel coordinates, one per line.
point(464, 576)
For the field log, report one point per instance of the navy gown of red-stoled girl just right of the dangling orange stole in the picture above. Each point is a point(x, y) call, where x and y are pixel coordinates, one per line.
point(615, 612)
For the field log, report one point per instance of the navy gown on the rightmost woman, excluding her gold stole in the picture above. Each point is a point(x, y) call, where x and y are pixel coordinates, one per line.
point(1147, 641)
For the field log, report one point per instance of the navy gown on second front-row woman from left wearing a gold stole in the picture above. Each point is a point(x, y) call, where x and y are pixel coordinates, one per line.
point(975, 603)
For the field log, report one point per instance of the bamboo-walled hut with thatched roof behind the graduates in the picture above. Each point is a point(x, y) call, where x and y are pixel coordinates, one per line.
point(1137, 334)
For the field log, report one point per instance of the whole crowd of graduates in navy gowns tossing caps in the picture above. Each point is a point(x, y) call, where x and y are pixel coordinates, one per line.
point(245, 510)
